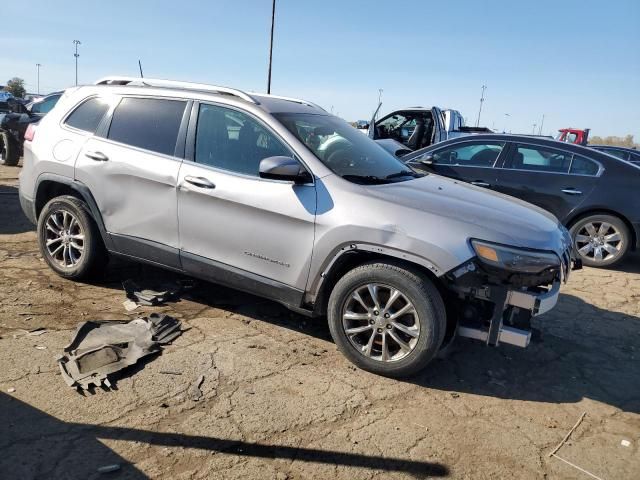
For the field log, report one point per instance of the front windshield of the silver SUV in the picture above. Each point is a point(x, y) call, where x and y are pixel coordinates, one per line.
point(346, 151)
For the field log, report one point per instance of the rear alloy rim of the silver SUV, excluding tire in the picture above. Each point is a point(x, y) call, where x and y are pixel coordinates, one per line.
point(64, 238)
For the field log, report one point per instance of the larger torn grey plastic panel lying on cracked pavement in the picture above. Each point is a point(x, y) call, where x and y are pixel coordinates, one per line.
point(100, 348)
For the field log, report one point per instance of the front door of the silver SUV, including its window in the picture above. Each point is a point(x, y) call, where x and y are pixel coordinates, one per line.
point(233, 223)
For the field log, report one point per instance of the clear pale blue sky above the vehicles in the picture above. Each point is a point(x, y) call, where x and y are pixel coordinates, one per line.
point(577, 62)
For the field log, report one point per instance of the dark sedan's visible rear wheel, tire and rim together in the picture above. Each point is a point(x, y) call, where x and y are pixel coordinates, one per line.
point(601, 233)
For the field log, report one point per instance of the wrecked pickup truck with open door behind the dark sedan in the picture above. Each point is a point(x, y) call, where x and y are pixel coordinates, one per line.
point(403, 131)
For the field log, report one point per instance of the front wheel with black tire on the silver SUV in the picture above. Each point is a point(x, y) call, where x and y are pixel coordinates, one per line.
point(428, 319)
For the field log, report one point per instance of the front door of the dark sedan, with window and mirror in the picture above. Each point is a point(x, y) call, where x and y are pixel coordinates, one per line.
point(470, 161)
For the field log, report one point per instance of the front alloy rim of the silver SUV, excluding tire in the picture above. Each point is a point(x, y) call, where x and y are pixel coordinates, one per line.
point(380, 322)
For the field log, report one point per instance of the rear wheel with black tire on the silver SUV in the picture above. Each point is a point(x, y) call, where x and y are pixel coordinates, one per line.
point(61, 224)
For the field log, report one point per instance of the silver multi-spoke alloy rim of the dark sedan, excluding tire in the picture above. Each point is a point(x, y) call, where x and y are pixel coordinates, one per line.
point(598, 241)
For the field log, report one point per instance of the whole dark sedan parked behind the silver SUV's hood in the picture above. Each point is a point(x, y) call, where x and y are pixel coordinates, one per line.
point(594, 194)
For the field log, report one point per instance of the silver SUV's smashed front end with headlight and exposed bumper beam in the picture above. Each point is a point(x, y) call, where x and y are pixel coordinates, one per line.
point(499, 290)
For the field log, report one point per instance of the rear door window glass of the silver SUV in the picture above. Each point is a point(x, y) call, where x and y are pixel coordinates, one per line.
point(148, 123)
